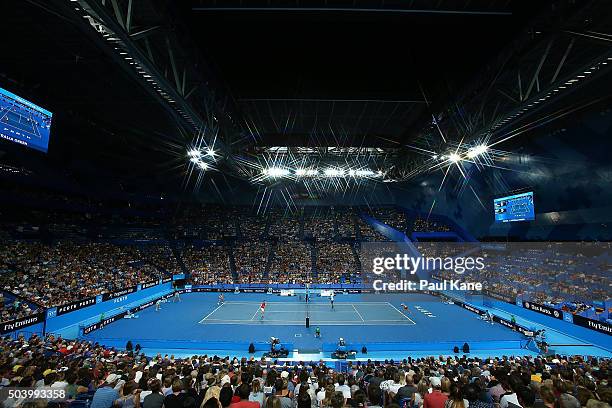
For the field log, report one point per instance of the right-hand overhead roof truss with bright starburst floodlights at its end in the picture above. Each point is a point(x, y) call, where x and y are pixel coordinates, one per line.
point(517, 92)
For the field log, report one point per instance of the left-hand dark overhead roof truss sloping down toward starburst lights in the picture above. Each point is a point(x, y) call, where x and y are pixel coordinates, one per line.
point(136, 34)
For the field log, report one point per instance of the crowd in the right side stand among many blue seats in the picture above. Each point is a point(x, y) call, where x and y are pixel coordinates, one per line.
point(553, 274)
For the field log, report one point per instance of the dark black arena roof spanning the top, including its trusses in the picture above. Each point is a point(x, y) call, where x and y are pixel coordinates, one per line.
point(139, 84)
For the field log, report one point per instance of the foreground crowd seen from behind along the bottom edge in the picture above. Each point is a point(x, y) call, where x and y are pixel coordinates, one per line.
point(99, 377)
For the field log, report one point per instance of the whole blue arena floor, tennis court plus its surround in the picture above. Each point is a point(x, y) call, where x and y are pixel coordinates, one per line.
point(378, 322)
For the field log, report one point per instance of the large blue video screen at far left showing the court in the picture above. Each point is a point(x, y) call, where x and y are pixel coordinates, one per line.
point(23, 122)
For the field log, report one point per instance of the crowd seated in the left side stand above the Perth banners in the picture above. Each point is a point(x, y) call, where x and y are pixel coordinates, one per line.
point(51, 275)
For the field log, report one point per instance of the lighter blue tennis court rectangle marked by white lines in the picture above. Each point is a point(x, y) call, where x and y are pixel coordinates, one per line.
point(284, 313)
